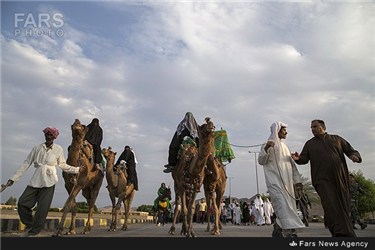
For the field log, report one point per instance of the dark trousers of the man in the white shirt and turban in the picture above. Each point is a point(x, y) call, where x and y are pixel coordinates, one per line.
point(42, 197)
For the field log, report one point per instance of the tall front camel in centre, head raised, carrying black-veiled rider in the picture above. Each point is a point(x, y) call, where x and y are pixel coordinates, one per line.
point(189, 174)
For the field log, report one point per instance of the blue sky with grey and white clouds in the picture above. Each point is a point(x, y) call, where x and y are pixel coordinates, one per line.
point(139, 66)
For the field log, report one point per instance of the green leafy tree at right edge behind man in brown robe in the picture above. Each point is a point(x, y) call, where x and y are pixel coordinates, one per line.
point(366, 200)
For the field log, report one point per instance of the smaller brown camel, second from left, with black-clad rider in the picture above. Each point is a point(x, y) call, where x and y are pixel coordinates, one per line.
point(118, 188)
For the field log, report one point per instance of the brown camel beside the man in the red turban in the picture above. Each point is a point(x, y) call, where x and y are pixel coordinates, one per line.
point(89, 181)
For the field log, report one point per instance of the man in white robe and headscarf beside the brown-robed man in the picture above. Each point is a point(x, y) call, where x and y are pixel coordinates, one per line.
point(281, 174)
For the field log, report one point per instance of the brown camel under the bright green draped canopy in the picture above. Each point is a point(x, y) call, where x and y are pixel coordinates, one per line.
point(214, 188)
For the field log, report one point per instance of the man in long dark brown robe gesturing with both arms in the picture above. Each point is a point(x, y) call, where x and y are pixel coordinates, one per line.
point(330, 176)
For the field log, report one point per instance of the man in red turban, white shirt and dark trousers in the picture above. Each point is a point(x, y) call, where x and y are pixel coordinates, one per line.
point(45, 158)
